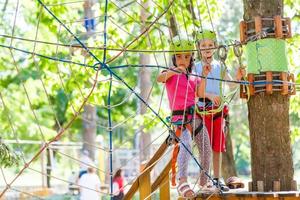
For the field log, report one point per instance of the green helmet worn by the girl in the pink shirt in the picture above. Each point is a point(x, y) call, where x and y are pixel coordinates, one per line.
point(181, 45)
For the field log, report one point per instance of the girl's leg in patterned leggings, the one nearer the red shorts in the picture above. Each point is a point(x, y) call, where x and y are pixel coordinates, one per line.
point(205, 153)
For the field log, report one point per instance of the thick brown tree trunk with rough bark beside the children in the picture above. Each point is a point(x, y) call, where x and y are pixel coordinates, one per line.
point(271, 155)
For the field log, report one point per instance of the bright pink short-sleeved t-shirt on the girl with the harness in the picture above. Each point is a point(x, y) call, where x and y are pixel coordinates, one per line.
point(181, 92)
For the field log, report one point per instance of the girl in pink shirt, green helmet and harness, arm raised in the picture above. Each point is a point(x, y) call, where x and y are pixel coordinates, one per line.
point(182, 91)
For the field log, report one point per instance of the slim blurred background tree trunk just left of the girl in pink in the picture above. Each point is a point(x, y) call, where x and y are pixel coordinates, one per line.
point(145, 87)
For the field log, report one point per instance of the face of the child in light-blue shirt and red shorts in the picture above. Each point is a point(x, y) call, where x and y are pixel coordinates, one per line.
point(207, 55)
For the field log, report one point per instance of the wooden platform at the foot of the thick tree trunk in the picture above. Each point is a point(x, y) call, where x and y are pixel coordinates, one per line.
point(243, 195)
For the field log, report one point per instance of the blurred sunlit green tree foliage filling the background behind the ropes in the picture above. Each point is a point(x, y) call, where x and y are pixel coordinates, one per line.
point(41, 95)
